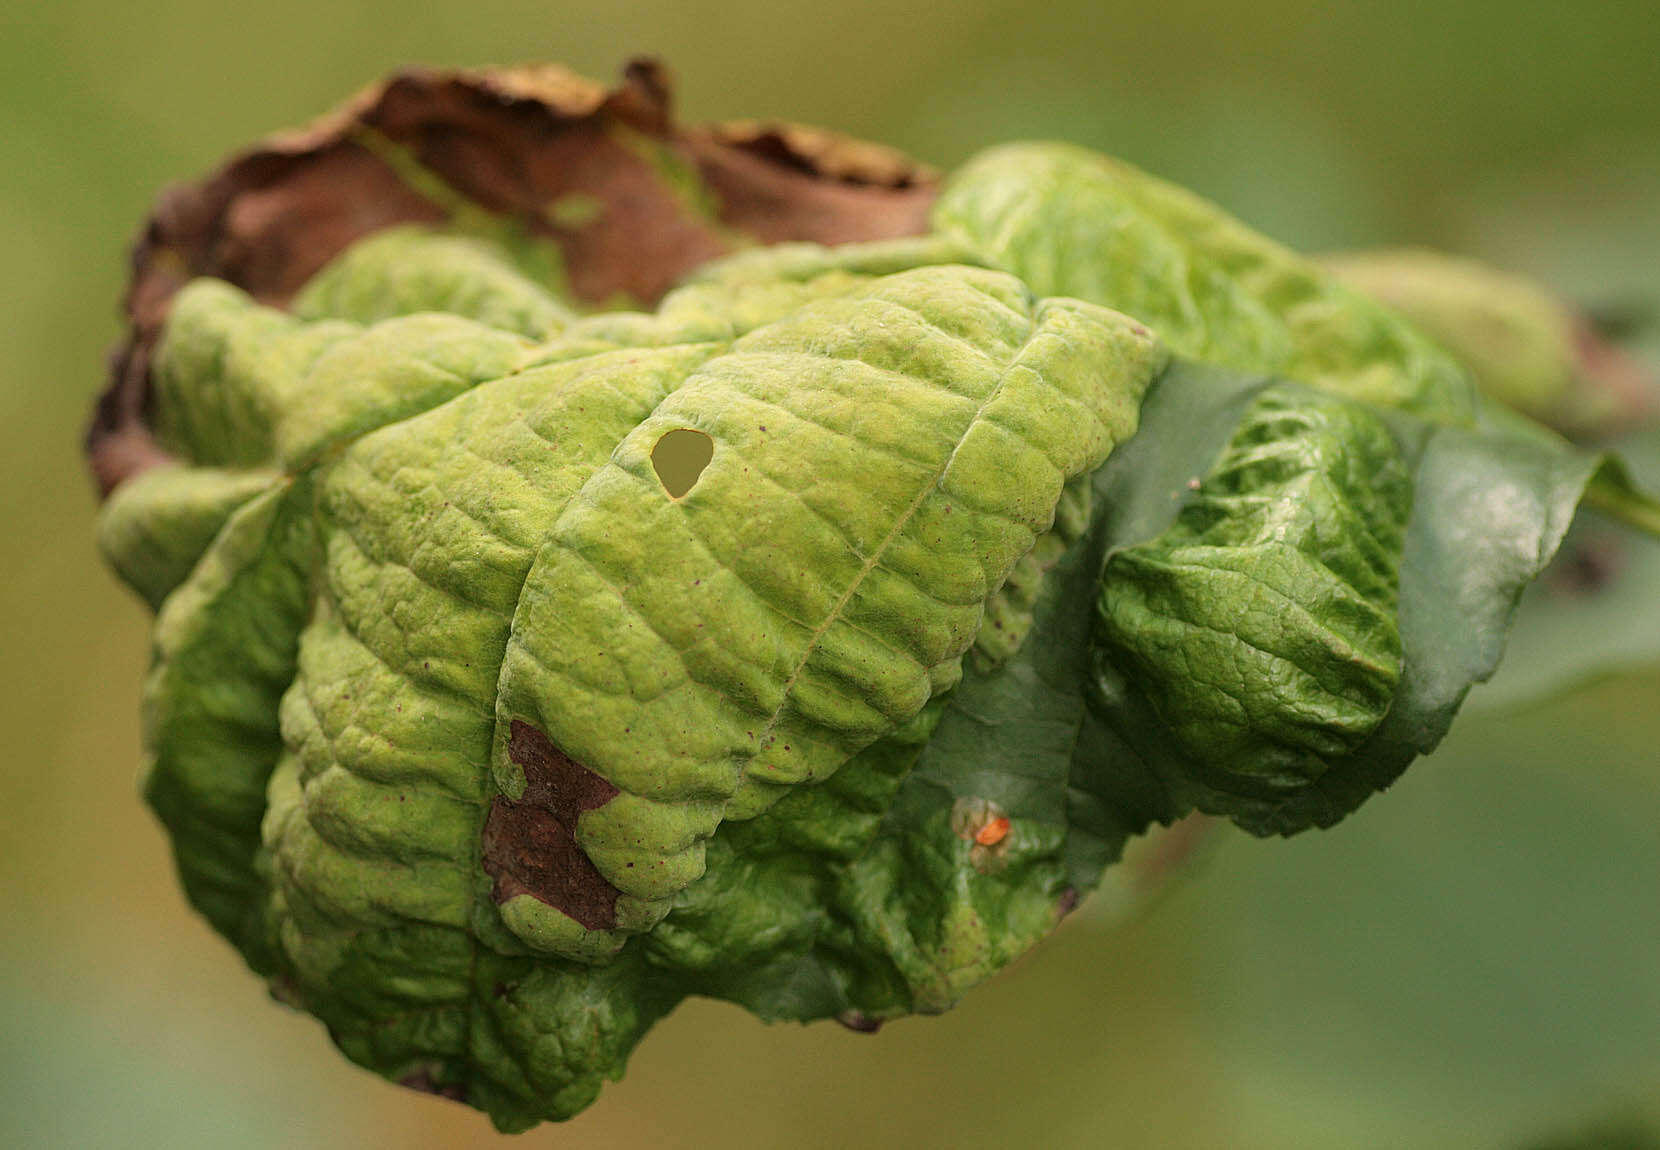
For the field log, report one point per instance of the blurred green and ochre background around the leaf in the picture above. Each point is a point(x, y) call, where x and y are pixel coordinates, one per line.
point(1472, 962)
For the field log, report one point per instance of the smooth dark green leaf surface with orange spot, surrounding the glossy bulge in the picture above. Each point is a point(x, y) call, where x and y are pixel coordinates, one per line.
point(1080, 771)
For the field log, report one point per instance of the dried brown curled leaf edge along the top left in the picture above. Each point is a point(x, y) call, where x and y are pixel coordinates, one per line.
point(658, 200)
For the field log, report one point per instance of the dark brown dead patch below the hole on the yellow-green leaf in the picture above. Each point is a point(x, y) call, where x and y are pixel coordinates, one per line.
point(530, 844)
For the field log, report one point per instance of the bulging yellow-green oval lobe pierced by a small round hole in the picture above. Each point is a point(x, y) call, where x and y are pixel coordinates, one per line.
point(763, 630)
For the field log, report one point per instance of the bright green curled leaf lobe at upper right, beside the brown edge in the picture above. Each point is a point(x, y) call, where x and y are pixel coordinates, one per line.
point(1077, 223)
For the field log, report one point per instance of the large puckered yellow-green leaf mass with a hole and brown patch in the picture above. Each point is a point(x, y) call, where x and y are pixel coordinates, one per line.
point(532, 681)
